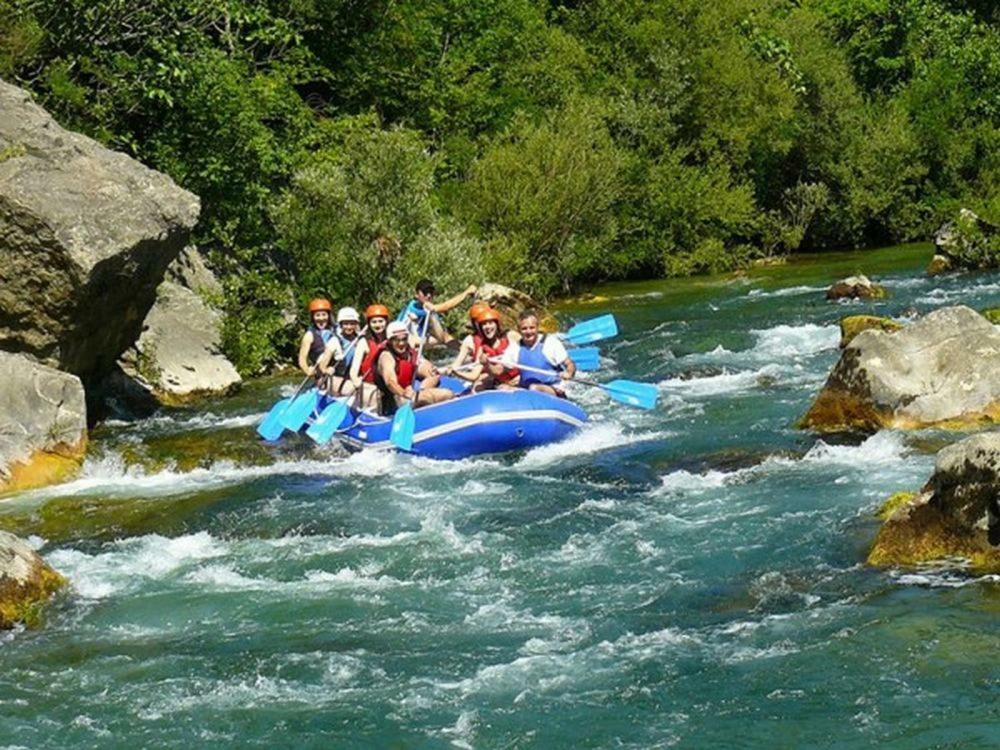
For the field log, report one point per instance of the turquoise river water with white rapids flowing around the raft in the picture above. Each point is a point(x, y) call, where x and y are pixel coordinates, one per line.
point(690, 577)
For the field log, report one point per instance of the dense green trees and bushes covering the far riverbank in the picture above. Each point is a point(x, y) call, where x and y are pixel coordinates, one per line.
point(347, 147)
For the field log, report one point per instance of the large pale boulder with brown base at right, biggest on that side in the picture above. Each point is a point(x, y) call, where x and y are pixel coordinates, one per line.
point(943, 369)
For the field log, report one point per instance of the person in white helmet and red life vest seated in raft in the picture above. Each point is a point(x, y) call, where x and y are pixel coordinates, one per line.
point(397, 368)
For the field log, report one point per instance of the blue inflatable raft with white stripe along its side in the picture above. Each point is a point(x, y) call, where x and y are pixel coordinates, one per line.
point(473, 424)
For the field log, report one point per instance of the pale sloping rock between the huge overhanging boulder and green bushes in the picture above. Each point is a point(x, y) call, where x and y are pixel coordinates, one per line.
point(178, 356)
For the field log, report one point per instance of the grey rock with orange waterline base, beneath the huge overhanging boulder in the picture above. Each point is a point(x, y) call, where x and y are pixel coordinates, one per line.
point(43, 423)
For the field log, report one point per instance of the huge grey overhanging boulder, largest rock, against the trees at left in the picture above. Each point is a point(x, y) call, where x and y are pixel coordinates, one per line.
point(85, 237)
